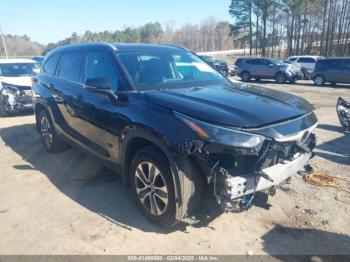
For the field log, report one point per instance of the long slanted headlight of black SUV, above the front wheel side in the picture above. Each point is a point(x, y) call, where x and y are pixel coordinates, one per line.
point(222, 135)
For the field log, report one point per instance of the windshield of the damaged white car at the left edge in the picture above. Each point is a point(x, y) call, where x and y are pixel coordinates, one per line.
point(18, 69)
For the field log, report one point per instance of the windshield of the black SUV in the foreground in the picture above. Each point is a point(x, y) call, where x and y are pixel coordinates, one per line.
point(156, 69)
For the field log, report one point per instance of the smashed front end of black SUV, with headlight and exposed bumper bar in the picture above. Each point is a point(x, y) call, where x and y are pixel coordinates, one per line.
point(238, 163)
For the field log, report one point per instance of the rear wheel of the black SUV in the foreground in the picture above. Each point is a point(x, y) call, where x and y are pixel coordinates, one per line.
point(49, 137)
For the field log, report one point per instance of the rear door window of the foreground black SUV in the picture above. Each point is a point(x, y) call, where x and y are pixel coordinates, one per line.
point(71, 66)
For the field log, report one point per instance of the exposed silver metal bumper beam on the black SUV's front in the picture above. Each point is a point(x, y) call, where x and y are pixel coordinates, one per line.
point(241, 186)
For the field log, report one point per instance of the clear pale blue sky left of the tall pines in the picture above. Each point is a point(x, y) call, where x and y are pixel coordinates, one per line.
point(47, 21)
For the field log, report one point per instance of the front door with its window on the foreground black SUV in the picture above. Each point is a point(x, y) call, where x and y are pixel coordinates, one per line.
point(101, 116)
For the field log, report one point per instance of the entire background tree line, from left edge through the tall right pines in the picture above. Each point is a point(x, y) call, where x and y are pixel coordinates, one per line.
point(275, 28)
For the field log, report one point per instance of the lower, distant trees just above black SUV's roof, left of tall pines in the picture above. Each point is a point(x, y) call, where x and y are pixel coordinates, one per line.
point(209, 35)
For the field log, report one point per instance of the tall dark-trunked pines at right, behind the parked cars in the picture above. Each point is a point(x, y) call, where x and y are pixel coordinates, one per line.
point(291, 27)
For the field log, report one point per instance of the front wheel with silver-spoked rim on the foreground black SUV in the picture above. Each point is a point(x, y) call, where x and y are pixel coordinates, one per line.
point(152, 186)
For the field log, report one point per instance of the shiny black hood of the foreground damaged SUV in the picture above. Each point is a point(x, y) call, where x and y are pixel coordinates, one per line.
point(236, 104)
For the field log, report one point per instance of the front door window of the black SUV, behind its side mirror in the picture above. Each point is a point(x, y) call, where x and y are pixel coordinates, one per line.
point(98, 65)
